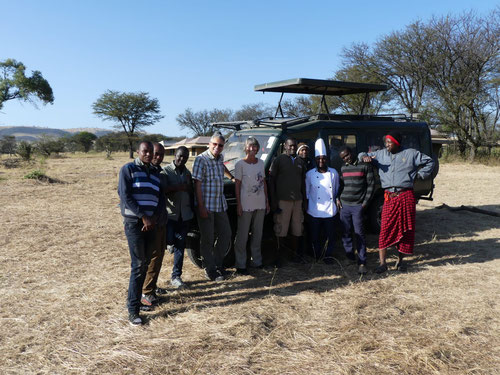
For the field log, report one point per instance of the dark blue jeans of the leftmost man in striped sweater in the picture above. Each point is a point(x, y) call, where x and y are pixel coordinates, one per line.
point(141, 245)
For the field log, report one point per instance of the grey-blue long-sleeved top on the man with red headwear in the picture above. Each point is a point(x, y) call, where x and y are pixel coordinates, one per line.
point(400, 169)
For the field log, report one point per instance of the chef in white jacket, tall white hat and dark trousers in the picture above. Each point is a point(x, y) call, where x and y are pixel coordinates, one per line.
point(322, 186)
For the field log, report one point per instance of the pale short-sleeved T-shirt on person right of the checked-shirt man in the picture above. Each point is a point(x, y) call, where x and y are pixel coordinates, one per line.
point(252, 195)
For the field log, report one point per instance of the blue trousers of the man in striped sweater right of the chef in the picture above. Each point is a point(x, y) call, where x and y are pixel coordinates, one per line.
point(351, 218)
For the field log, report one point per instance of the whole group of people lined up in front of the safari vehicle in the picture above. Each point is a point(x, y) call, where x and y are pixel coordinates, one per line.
point(157, 204)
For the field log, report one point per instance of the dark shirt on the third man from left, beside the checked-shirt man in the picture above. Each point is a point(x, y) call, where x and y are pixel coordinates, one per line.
point(178, 202)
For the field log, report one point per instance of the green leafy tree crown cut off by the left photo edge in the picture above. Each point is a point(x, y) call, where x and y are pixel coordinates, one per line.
point(14, 84)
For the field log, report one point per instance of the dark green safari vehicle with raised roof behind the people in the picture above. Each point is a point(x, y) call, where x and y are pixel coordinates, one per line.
point(360, 132)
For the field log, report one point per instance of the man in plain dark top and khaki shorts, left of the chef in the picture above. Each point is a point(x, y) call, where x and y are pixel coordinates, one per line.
point(287, 190)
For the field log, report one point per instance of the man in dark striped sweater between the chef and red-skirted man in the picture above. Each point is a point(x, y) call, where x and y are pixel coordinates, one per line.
point(356, 189)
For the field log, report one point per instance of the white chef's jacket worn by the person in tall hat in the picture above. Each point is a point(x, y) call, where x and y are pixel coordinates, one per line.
point(321, 191)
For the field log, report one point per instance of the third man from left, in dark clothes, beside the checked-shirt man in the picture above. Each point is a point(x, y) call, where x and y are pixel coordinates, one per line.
point(179, 209)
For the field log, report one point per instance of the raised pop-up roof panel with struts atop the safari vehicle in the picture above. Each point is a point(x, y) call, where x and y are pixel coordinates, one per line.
point(323, 87)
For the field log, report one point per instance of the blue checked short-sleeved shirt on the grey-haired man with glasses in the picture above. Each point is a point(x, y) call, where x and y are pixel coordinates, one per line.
point(210, 171)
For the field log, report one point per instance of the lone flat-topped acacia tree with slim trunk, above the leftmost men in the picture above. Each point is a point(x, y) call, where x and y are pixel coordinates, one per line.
point(130, 111)
